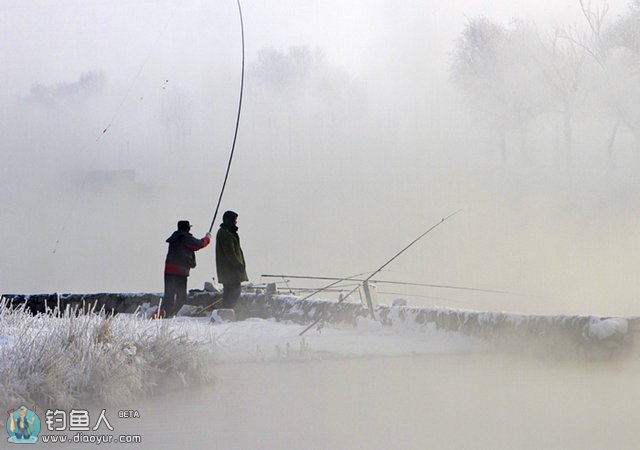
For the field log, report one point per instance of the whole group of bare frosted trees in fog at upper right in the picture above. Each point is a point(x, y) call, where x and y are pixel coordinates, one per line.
point(511, 75)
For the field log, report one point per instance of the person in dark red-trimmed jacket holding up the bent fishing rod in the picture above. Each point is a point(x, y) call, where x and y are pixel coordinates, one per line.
point(181, 258)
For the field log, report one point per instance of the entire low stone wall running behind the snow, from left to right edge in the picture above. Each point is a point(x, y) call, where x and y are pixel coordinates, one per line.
point(587, 336)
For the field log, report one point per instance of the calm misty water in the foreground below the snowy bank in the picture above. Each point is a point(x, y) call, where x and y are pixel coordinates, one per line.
point(460, 401)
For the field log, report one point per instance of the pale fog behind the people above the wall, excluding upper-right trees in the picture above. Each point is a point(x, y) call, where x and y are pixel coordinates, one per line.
point(355, 137)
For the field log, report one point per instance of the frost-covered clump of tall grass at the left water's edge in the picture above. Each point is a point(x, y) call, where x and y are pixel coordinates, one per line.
point(62, 359)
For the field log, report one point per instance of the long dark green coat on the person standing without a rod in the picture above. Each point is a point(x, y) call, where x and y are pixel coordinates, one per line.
point(230, 262)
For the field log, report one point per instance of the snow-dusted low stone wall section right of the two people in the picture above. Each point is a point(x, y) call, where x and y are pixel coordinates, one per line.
point(558, 335)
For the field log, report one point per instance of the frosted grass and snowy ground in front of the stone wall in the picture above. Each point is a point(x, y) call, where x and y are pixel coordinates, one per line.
point(73, 358)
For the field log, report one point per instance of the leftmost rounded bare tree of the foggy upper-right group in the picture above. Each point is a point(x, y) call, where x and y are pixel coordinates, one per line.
point(495, 68)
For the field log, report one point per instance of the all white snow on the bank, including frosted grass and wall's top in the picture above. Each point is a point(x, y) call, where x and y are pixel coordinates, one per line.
point(89, 355)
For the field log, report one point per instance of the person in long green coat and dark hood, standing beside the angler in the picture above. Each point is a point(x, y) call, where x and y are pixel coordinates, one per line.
point(230, 262)
